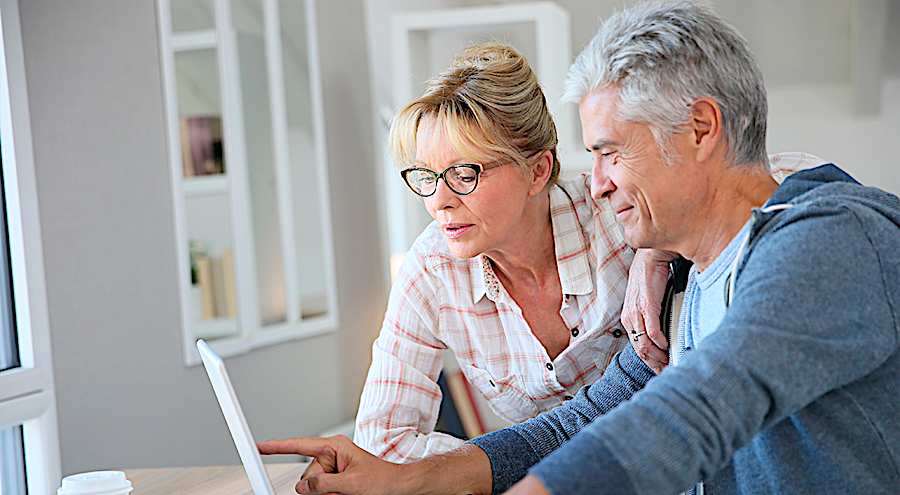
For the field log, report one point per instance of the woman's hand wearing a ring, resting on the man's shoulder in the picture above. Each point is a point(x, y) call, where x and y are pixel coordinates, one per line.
point(643, 304)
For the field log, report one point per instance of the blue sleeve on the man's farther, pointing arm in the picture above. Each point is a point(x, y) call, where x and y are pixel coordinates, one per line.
point(515, 449)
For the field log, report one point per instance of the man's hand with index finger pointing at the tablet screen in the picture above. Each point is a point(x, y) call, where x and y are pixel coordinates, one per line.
point(339, 467)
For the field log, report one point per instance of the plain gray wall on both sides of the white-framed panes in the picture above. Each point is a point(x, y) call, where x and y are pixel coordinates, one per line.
point(125, 398)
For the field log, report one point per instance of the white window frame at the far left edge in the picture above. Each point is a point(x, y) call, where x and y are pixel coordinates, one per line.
point(27, 394)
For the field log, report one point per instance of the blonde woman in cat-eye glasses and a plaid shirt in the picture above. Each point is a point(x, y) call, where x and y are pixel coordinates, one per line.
point(521, 275)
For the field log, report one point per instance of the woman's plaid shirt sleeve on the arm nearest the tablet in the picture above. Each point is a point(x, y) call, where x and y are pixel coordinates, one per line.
point(401, 399)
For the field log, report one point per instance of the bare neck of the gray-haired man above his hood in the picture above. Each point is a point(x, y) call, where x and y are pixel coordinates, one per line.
point(736, 192)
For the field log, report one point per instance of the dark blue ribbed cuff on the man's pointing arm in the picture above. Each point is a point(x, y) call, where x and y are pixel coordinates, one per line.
point(510, 455)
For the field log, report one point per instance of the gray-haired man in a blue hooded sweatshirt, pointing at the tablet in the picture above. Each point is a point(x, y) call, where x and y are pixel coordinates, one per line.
point(789, 372)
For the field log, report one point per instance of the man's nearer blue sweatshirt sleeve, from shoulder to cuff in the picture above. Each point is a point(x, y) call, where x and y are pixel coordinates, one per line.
point(810, 315)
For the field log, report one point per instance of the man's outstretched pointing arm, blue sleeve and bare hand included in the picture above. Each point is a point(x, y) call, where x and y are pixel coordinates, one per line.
point(489, 464)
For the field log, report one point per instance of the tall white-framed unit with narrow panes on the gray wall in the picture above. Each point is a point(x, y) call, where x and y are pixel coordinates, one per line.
point(250, 186)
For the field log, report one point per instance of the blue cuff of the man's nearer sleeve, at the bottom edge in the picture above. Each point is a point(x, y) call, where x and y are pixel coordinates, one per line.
point(584, 465)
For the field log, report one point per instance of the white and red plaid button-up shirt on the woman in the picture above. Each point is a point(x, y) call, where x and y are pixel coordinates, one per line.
point(439, 302)
